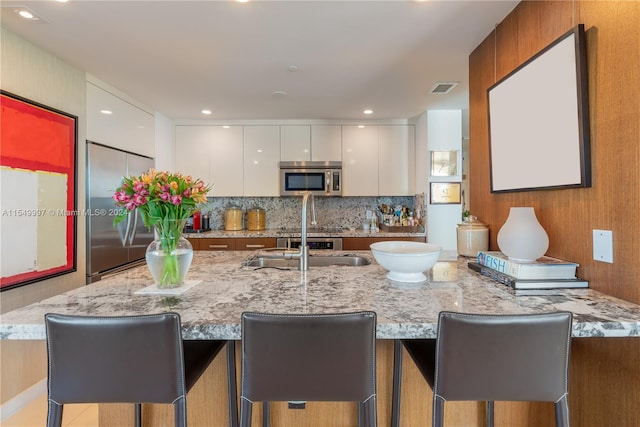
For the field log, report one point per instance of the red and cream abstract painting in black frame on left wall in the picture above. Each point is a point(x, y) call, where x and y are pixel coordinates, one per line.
point(38, 182)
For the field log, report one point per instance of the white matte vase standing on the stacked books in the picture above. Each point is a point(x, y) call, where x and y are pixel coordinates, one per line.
point(522, 238)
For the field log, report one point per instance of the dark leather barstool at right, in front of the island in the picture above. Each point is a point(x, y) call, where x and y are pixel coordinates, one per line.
point(493, 358)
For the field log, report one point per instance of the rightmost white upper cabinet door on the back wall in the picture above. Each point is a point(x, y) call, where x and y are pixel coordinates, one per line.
point(396, 169)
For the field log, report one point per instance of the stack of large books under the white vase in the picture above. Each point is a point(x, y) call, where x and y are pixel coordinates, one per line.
point(544, 273)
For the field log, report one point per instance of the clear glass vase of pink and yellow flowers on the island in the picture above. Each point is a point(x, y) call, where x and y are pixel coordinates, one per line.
point(165, 200)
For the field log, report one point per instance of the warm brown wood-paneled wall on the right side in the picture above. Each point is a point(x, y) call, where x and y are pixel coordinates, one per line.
point(605, 380)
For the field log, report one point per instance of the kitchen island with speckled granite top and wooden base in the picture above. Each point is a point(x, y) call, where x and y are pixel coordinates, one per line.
point(211, 310)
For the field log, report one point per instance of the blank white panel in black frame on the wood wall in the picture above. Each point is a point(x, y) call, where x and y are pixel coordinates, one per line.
point(539, 120)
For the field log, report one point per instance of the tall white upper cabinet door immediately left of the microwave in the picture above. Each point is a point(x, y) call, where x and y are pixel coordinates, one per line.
point(261, 157)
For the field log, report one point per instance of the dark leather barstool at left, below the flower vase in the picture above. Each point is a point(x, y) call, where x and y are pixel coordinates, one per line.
point(127, 359)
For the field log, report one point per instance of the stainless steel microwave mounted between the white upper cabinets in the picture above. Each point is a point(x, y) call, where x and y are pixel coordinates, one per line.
point(321, 178)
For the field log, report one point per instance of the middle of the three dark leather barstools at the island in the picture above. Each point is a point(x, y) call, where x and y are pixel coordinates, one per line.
point(329, 357)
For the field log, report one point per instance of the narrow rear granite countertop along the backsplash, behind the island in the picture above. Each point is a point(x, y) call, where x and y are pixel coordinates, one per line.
point(295, 232)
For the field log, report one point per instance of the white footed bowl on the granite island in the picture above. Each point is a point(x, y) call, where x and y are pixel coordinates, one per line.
point(406, 261)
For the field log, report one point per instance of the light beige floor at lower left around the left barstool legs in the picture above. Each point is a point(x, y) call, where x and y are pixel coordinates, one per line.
point(35, 415)
